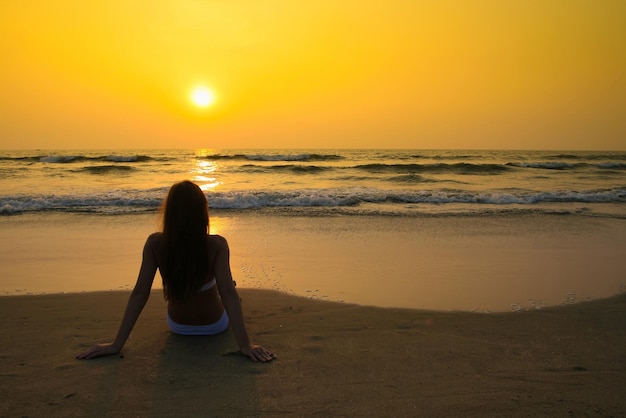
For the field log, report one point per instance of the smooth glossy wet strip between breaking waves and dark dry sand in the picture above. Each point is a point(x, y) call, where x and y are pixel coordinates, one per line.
point(442, 263)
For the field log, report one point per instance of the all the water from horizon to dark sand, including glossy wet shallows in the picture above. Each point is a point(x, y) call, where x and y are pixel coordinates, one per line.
point(427, 229)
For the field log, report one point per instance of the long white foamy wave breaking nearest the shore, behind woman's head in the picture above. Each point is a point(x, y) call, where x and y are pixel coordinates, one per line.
point(150, 200)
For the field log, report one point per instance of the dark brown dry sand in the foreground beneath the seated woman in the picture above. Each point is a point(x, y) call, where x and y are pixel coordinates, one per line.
point(334, 359)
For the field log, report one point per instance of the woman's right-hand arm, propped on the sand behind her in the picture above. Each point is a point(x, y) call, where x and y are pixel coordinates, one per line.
point(232, 304)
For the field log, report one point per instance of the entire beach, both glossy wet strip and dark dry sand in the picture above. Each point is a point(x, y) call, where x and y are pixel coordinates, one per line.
point(320, 292)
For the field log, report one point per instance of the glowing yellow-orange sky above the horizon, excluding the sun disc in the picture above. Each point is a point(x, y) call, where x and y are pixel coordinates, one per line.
point(515, 74)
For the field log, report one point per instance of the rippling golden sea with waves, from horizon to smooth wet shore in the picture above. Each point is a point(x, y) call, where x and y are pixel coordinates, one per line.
point(373, 182)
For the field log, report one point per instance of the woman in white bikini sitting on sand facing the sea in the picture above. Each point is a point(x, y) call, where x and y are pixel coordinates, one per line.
point(197, 281)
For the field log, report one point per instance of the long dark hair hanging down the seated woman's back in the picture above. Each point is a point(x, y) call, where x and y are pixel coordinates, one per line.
point(184, 254)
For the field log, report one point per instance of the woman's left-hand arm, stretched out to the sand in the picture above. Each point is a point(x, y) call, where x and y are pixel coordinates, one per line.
point(136, 302)
